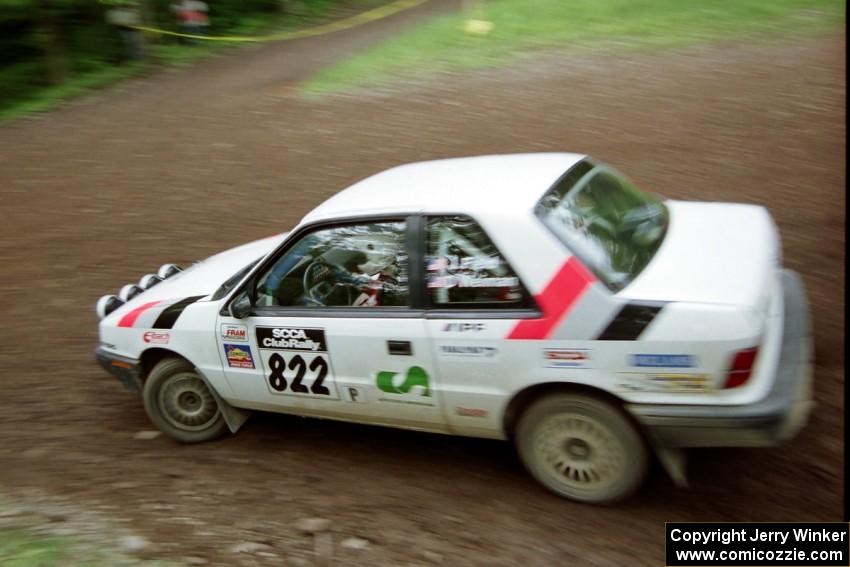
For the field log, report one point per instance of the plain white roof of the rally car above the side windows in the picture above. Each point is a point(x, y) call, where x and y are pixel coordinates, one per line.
point(467, 185)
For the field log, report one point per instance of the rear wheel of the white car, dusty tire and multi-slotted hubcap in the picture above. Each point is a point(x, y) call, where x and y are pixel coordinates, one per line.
point(582, 448)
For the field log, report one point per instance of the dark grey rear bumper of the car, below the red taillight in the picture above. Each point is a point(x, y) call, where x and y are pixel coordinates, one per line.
point(770, 421)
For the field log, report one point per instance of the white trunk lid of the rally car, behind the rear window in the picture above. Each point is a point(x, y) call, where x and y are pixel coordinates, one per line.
point(713, 253)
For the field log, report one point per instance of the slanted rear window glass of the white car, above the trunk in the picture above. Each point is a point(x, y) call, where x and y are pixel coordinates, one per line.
point(613, 228)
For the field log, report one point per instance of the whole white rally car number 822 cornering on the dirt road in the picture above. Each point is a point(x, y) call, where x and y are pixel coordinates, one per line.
point(539, 298)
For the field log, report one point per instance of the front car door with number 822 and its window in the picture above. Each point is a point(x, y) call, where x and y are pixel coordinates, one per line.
point(332, 331)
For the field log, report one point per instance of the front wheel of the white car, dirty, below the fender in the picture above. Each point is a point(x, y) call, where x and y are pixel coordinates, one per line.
point(179, 402)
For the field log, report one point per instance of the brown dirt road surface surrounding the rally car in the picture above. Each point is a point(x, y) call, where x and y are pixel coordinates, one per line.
point(182, 164)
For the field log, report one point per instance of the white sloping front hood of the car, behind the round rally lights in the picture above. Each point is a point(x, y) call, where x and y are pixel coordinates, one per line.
point(204, 277)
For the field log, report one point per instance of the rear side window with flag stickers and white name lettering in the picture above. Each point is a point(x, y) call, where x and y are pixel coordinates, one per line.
point(465, 270)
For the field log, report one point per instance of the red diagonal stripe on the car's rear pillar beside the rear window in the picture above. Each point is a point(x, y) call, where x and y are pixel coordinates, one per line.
point(555, 300)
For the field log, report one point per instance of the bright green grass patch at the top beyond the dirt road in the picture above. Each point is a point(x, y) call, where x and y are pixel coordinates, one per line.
point(523, 26)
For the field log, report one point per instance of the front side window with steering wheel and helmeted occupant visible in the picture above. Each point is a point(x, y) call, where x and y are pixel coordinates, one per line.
point(357, 265)
